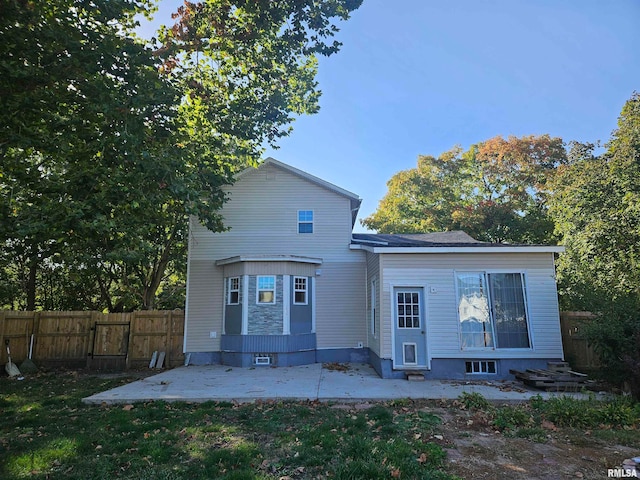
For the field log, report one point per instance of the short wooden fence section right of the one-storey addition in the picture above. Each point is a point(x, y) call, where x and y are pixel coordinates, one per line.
point(577, 350)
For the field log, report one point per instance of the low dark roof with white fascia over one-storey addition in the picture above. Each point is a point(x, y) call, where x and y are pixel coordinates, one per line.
point(454, 241)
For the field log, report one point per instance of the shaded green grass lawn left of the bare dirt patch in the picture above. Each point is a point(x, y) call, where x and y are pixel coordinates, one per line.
point(46, 432)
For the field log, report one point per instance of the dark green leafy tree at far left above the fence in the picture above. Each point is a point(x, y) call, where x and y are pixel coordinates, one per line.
point(82, 102)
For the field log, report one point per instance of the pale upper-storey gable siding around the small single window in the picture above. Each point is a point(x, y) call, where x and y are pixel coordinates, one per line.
point(262, 214)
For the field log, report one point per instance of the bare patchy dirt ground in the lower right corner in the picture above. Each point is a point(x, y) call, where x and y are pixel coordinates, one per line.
point(475, 450)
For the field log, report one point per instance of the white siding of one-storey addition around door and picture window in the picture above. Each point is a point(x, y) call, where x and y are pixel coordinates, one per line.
point(437, 274)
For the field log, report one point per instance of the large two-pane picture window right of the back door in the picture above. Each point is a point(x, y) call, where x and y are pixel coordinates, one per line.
point(492, 310)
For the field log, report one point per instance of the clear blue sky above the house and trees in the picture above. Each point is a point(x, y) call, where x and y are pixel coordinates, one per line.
point(418, 77)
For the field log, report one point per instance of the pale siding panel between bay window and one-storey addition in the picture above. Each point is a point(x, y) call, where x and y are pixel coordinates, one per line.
point(341, 305)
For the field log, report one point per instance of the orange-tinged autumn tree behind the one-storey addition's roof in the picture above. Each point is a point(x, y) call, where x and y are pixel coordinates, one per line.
point(495, 191)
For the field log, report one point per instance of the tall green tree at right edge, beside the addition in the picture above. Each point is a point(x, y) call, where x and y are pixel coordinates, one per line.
point(596, 208)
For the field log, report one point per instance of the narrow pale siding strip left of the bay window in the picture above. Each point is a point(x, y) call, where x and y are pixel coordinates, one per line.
point(204, 307)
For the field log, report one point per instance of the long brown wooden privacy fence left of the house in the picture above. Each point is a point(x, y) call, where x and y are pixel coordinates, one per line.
point(95, 340)
